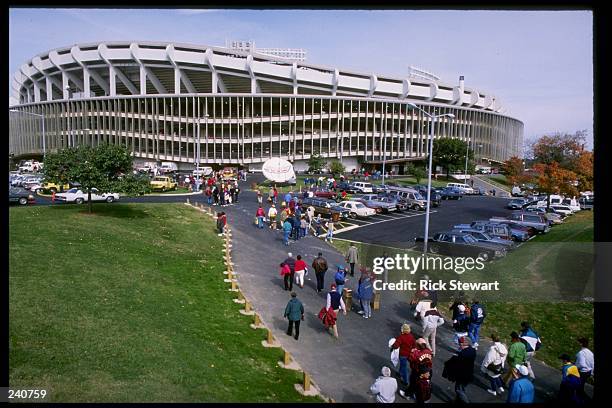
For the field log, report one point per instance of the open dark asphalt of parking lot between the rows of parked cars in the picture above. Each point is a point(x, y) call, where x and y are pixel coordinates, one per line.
point(400, 229)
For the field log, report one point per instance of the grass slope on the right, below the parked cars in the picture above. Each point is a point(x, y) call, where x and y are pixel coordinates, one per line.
point(547, 281)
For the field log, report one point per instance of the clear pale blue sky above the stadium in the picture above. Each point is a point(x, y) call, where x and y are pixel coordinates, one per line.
point(538, 63)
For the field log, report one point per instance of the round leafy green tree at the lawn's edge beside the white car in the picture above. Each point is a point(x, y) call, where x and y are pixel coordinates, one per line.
point(104, 167)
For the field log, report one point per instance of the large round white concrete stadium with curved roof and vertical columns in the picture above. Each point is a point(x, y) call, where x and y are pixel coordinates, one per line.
point(221, 106)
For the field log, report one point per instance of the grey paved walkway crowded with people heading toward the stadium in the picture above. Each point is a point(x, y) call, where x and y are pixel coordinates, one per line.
point(343, 368)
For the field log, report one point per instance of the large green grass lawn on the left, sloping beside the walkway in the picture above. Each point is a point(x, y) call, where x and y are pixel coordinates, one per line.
point(129, 305)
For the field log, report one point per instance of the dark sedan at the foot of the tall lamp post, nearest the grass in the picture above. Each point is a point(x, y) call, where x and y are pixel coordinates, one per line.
point(460, 244)
